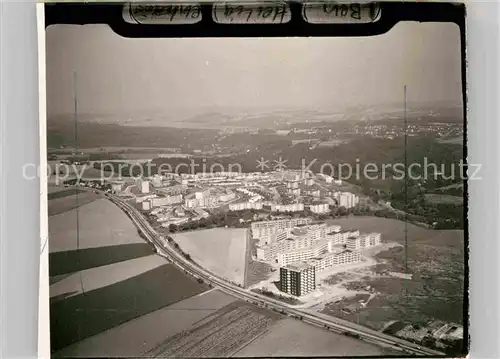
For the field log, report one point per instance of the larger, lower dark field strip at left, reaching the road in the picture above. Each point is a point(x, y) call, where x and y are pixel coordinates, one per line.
point(84, 315)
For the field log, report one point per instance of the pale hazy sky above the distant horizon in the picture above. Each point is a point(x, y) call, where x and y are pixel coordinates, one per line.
point(118, 75)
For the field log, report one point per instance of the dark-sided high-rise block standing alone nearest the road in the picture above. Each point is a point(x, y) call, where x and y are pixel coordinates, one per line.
point(298, 279)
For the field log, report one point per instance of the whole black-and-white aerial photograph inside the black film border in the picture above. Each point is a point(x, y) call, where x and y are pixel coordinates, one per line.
point(256, 197)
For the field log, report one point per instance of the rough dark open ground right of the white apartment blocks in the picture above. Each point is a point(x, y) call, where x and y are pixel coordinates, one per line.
point(435, 259)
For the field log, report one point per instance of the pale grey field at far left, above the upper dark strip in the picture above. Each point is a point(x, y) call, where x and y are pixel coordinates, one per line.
point(101, 224)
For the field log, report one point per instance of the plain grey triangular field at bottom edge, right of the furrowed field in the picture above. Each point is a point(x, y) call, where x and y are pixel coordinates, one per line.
point(290, 337)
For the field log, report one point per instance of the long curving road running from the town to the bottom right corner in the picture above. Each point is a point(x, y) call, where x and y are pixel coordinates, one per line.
point(337, 325)
